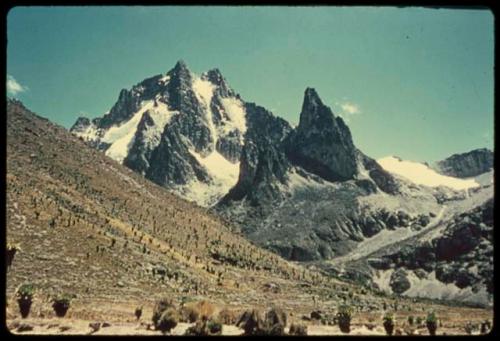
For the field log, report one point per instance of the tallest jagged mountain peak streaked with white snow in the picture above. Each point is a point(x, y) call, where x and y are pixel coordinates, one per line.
point(182, 131)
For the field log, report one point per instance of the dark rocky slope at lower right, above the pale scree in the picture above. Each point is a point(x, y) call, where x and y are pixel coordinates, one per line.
point(461, 255)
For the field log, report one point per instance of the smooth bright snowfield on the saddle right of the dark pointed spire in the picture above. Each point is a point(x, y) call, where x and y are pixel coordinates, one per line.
point(423, 175)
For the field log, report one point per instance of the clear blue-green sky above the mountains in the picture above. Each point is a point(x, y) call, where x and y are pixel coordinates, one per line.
point(413, 82)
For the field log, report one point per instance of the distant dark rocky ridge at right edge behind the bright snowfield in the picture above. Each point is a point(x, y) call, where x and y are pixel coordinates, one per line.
point(466, 165)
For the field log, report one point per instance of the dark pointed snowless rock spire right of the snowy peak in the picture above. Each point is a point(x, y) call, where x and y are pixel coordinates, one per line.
point(322, 143)
